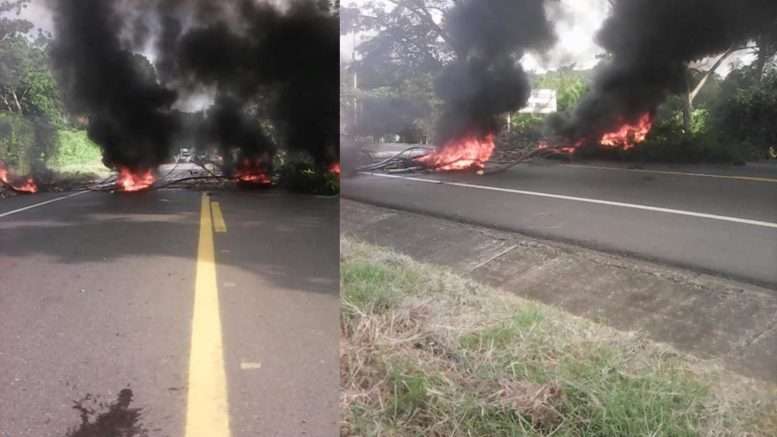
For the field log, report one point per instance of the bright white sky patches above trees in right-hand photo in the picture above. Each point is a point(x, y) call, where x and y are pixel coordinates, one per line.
point(576, 23)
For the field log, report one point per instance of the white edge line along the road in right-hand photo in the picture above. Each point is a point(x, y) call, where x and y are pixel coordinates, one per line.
point(585, 200)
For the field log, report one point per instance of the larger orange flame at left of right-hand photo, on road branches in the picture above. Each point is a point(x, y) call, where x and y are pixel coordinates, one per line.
point(461, 154)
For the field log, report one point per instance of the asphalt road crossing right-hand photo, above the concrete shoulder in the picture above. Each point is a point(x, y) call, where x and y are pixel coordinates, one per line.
point(715, 220)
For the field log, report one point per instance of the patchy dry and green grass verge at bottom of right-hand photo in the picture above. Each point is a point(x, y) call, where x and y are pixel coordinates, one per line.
point(425, 352)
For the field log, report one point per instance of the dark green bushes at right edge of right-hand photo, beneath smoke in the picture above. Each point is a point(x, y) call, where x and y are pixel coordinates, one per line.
point(731, 122)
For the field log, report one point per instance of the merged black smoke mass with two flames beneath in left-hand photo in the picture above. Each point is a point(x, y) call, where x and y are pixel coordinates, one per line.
point(252, 60)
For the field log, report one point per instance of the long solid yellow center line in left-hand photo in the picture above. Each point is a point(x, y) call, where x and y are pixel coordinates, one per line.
point(207, 409)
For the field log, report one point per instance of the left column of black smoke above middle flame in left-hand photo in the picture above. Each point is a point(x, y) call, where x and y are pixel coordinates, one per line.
point(129, 113)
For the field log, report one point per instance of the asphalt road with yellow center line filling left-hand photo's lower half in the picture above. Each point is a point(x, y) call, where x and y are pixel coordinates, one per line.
point(214, 315)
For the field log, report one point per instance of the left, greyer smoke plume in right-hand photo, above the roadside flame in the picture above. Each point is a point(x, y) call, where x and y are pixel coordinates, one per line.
point(486, 79)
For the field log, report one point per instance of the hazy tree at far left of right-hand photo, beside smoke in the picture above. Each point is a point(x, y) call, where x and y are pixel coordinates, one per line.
point(387, 88)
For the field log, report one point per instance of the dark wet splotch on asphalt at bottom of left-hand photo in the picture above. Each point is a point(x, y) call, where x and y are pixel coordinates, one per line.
point(108, 419)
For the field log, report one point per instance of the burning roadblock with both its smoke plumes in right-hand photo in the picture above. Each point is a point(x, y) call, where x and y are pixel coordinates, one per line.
point(651, 43)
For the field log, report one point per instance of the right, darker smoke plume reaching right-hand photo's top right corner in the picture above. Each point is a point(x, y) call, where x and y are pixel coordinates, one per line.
point(651, 43)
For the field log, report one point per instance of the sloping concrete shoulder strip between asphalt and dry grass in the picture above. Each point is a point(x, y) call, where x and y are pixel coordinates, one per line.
point(709, 317)
